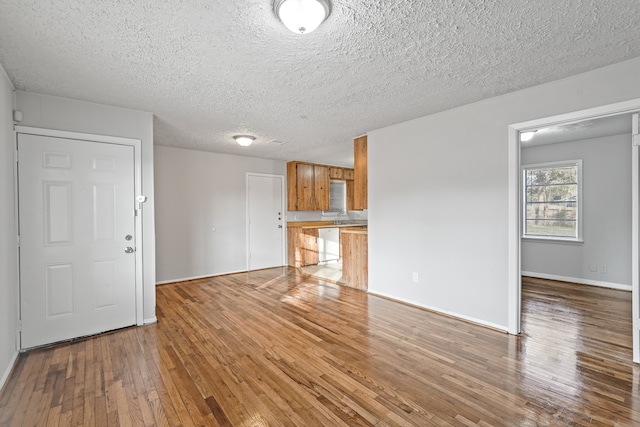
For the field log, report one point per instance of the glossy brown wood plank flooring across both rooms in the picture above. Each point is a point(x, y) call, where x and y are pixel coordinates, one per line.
point(274, 348)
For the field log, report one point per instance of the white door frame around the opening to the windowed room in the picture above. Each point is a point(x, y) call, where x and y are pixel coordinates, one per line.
point(515, 207)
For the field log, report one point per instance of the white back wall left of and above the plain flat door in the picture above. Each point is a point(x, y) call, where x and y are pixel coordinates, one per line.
point(198, 191)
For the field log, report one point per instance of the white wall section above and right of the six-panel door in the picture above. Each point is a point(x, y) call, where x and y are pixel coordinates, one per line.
point(76, 116)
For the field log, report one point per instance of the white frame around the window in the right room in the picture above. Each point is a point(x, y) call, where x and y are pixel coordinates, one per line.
point(564, 163)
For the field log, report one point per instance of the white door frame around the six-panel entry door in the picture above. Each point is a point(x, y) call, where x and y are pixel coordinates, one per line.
point(137, 162)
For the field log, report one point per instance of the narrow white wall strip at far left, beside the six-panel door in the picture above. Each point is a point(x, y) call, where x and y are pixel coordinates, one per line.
point(8, 233)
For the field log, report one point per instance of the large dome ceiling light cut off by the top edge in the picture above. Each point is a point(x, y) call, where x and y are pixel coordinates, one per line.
point(302, 16)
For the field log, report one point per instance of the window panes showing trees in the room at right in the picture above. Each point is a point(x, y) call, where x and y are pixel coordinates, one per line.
point(552, 200)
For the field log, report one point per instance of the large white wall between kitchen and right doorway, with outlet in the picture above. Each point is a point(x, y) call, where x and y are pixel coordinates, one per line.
point(448, 174)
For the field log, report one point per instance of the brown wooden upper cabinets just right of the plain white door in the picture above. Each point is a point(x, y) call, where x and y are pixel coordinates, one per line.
point(307, 187)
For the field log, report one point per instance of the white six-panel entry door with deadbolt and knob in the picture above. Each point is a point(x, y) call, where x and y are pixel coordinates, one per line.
point(77, 238)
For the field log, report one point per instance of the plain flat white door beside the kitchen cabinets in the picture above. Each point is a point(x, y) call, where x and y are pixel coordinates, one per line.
point(265, 235)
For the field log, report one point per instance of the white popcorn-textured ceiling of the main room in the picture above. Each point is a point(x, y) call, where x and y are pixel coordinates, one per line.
point(210, 69)
